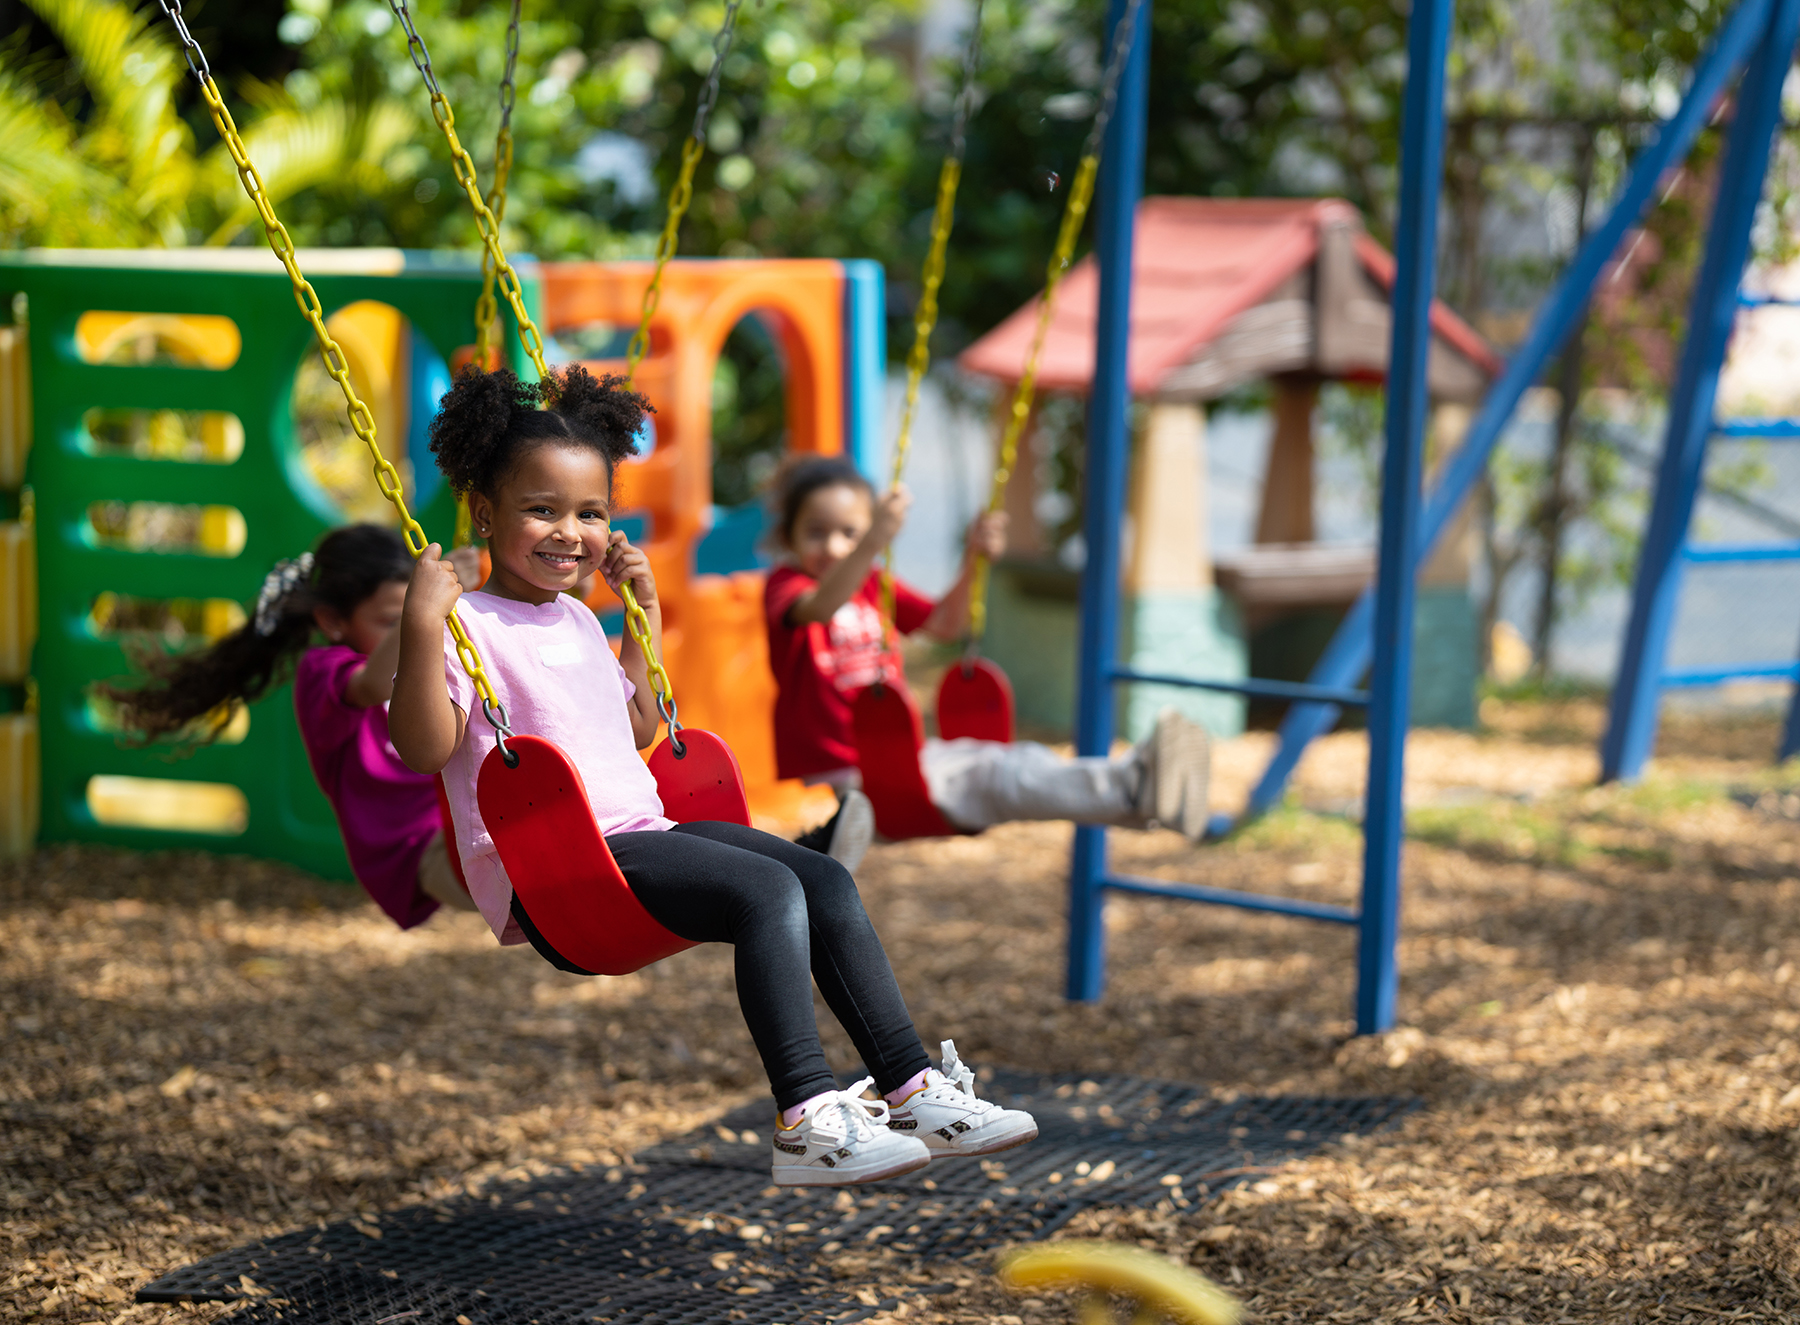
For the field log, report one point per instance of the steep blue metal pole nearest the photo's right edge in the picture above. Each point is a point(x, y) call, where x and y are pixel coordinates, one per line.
point(1632, 725)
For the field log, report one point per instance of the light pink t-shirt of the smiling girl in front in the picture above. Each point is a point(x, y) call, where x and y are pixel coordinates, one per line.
point(555, 672)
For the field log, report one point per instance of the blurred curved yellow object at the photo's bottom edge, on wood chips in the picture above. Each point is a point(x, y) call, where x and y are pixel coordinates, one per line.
point(1156, 1286)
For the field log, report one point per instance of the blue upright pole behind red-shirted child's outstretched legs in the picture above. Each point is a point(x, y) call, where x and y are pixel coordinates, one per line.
point(1108, 455)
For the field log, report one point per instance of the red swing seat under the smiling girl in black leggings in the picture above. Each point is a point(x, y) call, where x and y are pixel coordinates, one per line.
point(568, 890)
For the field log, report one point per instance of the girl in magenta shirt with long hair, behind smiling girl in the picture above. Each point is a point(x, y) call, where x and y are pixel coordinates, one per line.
point(348, 593)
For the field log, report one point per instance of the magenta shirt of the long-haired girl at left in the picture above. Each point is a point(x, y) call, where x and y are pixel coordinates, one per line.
point(386, 811)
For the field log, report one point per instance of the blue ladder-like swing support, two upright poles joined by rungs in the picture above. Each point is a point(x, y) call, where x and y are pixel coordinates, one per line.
point(1108, 449)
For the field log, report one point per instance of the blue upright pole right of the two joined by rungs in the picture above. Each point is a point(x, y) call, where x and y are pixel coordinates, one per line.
point(1401, 473)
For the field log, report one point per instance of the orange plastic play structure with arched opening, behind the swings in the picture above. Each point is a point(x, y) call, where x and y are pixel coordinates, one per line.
point(715, 645)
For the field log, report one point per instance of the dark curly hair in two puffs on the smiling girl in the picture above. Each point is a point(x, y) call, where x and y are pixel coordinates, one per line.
point(489, 422)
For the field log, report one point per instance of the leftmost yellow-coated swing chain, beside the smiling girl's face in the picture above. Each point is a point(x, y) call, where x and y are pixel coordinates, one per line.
point(361, 420)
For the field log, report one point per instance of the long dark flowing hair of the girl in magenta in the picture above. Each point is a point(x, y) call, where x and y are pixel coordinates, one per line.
point(179, 690)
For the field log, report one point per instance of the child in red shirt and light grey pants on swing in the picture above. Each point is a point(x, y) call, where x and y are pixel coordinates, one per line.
point(823, 608)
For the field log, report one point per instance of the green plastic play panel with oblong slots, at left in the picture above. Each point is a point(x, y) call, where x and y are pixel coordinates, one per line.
point(283, 510)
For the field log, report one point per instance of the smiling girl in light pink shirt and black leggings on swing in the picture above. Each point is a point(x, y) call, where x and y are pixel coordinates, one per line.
point(535, 464)
